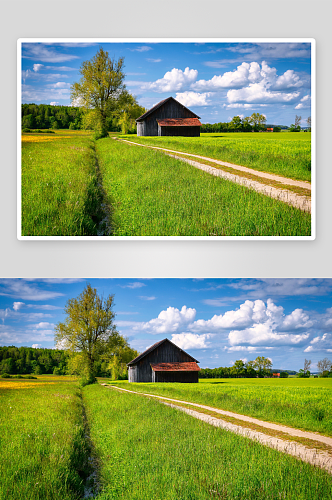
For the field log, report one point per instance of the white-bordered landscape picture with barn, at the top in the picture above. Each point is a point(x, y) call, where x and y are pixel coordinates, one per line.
point(179, 139)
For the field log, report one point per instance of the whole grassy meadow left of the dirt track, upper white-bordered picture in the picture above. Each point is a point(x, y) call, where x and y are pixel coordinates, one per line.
point(70, 183)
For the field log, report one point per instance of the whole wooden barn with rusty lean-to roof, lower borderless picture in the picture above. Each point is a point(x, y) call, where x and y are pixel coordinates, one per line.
point(163, 362)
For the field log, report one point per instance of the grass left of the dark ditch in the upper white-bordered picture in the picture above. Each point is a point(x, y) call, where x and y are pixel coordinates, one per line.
point(60, 194)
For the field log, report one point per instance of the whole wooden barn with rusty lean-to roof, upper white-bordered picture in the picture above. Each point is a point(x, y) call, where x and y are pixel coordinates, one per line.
point(169, 117)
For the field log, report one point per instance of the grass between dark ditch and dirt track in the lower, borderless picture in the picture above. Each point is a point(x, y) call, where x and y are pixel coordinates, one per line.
point(149, 451)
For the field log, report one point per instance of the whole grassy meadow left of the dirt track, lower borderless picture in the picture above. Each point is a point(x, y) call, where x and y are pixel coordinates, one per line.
point(53, 435)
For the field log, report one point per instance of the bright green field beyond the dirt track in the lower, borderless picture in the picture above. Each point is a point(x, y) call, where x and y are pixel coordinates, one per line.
point(306, 405)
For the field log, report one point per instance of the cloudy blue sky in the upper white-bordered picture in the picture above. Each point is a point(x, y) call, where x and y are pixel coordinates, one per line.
point(215, 80)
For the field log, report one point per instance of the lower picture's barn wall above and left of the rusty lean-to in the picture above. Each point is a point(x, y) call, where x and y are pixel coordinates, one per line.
point(165, 353)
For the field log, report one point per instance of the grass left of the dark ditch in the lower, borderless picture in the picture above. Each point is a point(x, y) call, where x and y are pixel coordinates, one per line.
point(43, 449)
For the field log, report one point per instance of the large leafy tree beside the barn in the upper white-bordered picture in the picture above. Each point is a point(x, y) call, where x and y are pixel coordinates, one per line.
point(100, 88)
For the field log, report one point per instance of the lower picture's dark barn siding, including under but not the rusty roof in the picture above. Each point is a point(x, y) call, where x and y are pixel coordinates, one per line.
point(165, 353)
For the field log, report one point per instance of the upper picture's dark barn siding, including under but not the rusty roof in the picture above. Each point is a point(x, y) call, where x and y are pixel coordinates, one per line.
point(170, 109)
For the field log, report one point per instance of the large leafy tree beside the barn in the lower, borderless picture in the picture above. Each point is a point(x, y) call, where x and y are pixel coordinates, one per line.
point(89, 328)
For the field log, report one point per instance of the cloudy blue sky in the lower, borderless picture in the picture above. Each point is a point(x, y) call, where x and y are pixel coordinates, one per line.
point(216, 320)
